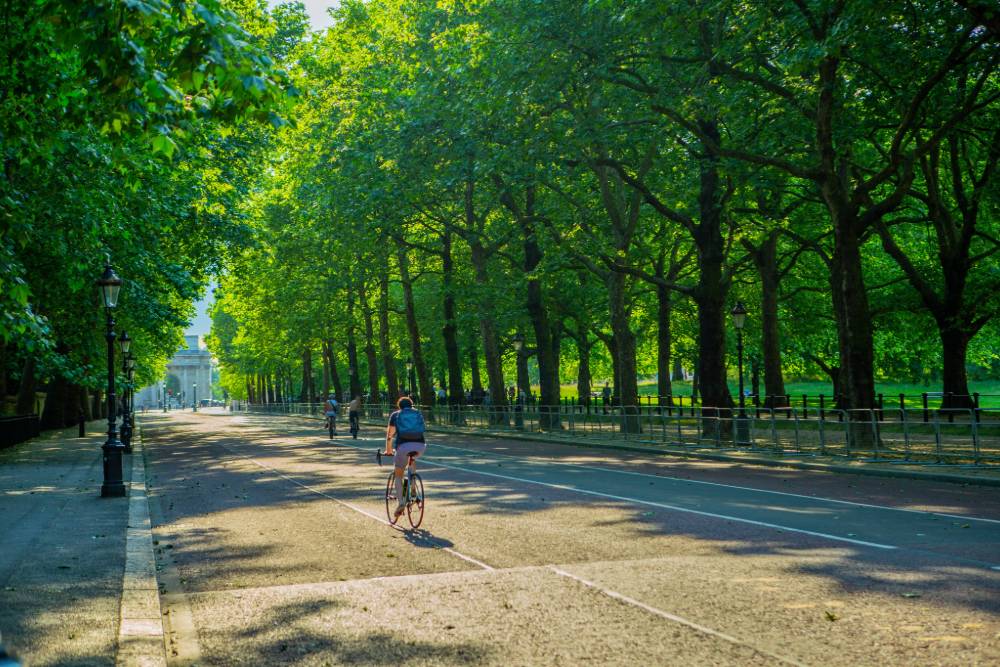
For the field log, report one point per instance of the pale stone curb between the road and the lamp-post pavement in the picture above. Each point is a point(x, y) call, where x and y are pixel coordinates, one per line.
point(140, 634)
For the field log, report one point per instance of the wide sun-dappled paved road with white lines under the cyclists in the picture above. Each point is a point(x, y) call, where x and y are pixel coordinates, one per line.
point(273, 547)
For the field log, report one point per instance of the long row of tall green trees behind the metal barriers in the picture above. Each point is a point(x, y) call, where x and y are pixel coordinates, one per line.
point(612, 175)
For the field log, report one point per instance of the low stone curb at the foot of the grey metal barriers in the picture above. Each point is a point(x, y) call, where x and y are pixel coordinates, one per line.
point(860, 469)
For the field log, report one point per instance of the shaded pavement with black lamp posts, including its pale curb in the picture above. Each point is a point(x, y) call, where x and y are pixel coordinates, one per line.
point(77, 576)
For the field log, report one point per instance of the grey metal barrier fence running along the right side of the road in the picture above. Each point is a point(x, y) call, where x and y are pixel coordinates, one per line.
point(952, 437)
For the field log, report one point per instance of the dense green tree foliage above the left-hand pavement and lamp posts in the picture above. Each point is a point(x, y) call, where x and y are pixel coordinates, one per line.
point(129, 130)
